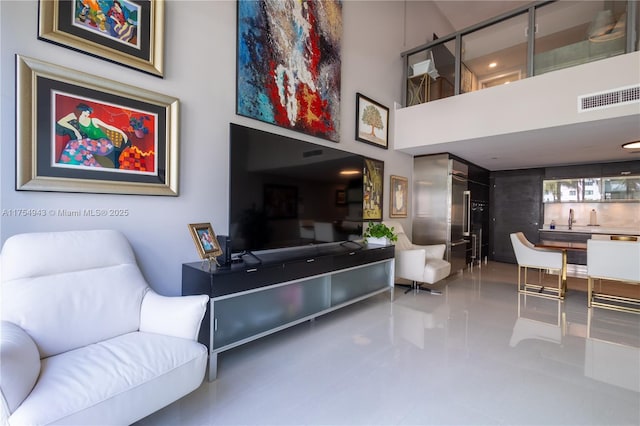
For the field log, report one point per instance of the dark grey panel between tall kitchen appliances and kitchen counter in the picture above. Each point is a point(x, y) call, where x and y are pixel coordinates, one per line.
point(515, 206)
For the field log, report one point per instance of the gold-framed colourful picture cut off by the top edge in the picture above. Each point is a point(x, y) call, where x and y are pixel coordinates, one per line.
point(127, 32)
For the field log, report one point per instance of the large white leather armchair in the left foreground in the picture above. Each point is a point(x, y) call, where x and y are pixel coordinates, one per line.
point(84, 339)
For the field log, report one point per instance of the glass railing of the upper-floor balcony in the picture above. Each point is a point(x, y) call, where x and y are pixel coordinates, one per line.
point(504, 49)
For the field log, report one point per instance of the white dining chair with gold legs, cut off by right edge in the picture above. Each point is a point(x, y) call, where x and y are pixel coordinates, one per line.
point(613, 260)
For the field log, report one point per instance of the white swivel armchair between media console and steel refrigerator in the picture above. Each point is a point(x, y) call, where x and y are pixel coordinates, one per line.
point(418, 263)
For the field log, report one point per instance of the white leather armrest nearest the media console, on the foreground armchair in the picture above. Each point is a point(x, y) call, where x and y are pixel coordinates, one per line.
point(173, 316)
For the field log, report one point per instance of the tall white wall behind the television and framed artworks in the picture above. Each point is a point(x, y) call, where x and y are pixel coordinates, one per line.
point(200, 71)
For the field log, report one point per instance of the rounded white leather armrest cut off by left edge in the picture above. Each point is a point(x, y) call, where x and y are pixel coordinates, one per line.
point(19, 365)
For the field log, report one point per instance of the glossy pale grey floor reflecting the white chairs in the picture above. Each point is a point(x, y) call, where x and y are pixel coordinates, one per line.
point(478, 354)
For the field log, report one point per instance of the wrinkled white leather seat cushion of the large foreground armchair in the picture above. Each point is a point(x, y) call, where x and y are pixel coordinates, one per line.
point(109, 382)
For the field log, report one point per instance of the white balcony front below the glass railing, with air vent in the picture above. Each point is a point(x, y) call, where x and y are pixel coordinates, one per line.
point(554, 104)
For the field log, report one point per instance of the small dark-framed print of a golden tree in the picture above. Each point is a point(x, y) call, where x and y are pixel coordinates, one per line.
point(372, 122)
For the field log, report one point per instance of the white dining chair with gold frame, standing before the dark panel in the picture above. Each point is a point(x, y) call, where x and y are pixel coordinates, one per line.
point(528, 256)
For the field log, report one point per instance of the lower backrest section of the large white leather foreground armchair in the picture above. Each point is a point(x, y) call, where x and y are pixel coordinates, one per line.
point(66, 311)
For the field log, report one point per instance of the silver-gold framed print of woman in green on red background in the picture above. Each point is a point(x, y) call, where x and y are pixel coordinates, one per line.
point(77, 132)
